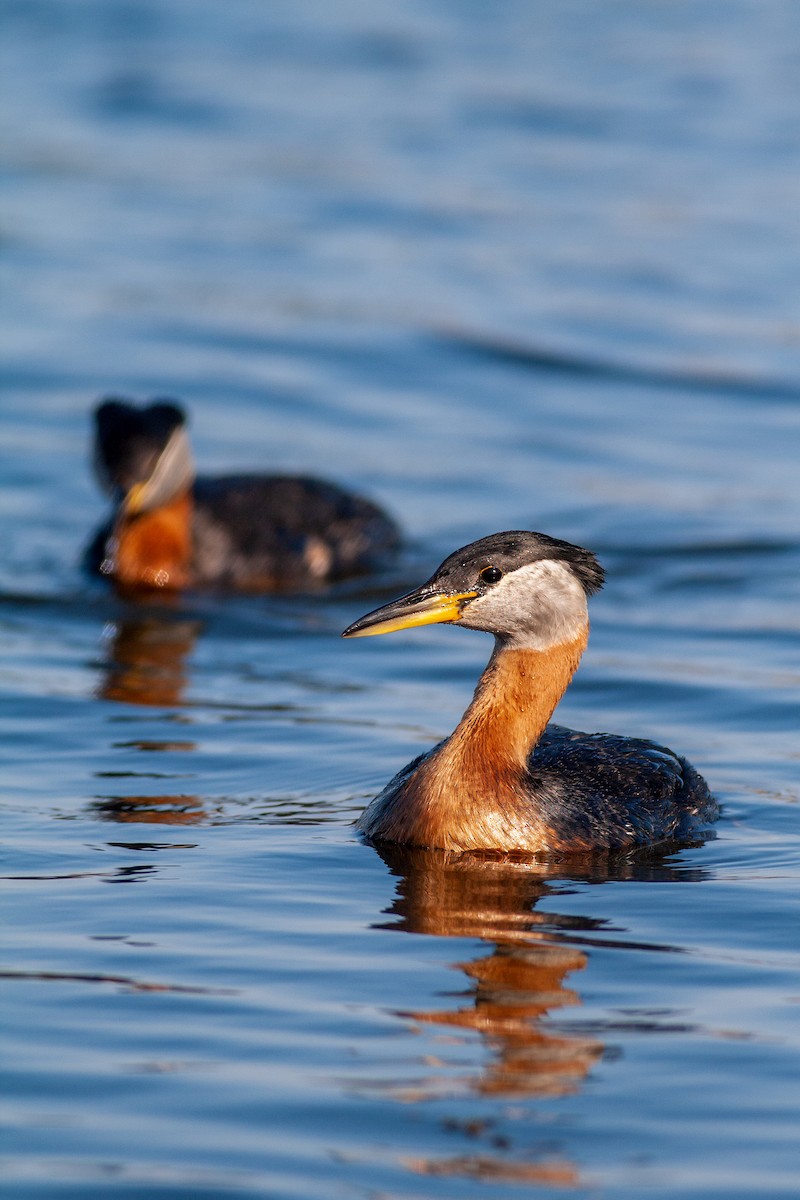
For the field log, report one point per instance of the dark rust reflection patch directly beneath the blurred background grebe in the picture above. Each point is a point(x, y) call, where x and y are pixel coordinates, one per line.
point(147, 659)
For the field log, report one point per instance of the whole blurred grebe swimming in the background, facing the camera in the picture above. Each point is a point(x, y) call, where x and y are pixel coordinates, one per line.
point(249, 533)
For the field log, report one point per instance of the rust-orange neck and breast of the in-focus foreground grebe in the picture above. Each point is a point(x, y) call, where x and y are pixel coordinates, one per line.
point(473, 791)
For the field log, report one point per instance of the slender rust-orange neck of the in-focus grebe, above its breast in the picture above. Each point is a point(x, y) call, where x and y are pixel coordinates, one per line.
point(514, 701)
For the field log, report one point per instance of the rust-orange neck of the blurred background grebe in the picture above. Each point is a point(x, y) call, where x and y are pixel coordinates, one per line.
point(154, 550)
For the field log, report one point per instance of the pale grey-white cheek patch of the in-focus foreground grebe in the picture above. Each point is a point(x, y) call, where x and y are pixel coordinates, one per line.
point(537, 607)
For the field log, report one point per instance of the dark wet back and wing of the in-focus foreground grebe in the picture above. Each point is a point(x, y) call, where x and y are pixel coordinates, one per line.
point(613, 791)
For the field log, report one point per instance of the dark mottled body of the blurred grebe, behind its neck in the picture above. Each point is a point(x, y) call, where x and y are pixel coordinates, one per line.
point(272, 532)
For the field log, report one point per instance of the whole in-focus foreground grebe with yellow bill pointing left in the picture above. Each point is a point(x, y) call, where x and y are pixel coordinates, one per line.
point(507, 781)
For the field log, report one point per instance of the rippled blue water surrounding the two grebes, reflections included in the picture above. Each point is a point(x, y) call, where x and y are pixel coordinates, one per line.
point(497, 267)
